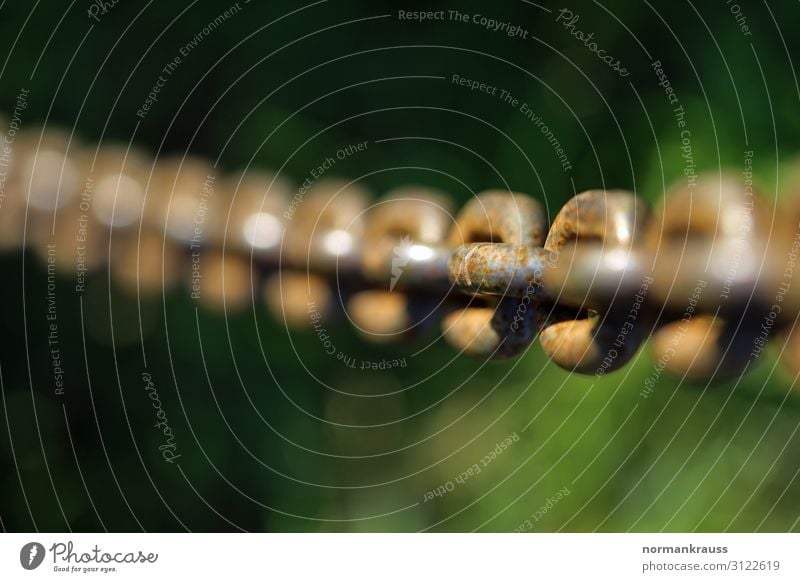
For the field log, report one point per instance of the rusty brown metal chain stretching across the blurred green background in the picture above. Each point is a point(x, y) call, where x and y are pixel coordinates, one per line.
point(707, 276)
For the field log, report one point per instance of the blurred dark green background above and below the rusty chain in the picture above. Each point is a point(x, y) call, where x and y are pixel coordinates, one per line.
point(264, 445)
